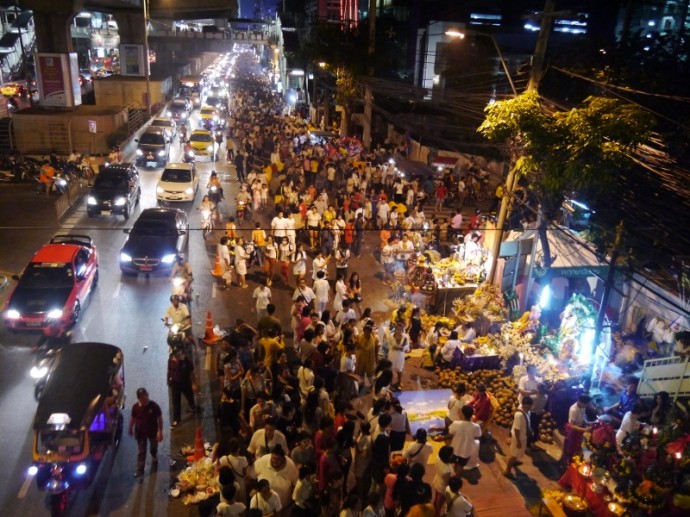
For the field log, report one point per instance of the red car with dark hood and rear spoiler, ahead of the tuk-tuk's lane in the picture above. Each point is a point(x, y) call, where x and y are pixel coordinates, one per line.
point(52, 289)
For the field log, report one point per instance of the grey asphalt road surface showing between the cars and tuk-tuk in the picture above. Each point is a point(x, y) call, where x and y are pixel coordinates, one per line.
point(123, 310)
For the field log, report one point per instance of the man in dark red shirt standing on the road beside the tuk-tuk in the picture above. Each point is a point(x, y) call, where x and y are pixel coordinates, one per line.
point(146, 425)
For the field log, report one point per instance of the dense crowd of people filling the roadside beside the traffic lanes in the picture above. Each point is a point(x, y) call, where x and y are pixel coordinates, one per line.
point(310, 420)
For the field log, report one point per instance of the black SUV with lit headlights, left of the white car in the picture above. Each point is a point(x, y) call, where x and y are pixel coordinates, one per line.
point(115, 191)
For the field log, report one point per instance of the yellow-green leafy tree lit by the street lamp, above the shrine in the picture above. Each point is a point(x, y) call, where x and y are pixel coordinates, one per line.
point(566, 151)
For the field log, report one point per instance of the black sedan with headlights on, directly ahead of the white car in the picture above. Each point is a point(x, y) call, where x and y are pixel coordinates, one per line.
point(158, 237)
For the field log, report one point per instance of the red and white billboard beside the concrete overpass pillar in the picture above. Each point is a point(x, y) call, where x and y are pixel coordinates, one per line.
point(58, 80)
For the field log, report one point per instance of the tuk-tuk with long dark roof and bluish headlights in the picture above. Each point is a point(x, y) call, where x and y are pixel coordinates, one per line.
point(79, 417)
